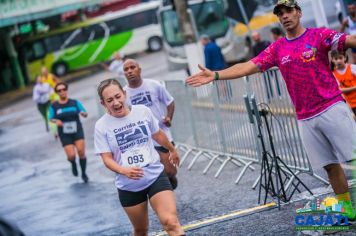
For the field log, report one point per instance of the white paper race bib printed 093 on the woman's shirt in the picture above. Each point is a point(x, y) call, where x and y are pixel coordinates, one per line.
point(136, 157)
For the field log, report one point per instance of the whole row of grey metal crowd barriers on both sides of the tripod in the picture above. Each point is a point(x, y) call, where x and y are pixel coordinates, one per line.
point(211, 121)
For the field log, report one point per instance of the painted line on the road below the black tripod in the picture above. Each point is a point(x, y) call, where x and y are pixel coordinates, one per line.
point(215, 219)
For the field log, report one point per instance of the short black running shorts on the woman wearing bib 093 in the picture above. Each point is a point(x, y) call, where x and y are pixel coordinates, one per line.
point(128, 198)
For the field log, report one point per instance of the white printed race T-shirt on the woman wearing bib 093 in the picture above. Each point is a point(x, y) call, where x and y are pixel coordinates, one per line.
point(130, 141)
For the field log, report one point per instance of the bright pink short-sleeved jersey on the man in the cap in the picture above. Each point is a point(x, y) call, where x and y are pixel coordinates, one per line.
point(304, 65)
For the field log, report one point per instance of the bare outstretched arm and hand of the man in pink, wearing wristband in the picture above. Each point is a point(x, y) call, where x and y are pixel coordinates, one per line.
point(234, 72)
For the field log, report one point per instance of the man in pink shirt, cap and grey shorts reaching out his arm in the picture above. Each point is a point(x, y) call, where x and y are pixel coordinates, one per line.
point(327, 128)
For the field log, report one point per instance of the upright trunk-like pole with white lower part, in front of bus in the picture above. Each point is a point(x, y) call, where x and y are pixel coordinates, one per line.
point(192, 50)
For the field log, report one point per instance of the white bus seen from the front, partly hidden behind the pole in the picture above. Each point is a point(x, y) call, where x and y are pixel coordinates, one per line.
point(210, 19)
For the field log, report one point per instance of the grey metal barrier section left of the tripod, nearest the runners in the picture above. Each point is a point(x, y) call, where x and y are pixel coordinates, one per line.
point(207, 123)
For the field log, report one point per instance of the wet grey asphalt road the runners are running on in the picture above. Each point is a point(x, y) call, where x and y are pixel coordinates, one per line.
point(39, 194)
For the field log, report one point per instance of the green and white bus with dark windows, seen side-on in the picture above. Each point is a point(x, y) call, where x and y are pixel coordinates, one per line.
point(131, 30)
